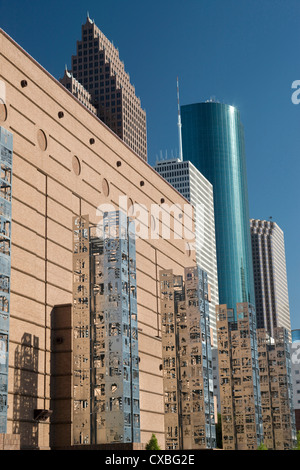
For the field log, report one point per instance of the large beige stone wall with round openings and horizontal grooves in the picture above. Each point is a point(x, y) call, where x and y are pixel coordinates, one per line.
point(66, 163)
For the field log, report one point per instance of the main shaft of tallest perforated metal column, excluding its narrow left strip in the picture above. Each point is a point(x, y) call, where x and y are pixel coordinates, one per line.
point(115, 406)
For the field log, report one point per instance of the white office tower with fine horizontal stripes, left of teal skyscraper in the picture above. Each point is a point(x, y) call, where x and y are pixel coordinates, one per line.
point(185, 177)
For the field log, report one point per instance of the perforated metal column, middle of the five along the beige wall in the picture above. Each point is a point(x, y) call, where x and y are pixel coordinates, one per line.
point(187, 361)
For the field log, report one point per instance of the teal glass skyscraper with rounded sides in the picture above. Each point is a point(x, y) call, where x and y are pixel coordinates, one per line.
point(213, 140)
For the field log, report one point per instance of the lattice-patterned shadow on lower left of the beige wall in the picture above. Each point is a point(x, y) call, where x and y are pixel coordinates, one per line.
point(25, 391)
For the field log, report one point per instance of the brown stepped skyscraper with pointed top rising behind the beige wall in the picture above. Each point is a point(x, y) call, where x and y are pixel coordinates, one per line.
point(98, 68)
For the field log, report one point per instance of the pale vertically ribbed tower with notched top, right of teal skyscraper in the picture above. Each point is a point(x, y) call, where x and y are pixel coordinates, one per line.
point(270, 276)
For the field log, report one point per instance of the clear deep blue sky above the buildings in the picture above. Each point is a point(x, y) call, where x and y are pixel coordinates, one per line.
point(242, 52)
